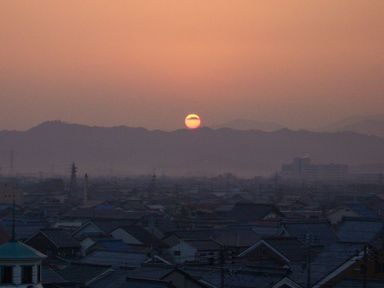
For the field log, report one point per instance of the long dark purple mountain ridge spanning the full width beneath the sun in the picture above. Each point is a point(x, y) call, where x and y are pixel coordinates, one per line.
point(54, 145)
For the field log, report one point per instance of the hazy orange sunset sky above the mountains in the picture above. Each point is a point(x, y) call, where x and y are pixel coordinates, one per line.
point(149, 62)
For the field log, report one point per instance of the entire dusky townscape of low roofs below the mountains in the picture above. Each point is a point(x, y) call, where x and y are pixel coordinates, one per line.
point(220, 232)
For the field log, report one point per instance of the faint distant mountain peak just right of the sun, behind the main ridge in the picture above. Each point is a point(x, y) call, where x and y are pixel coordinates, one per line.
point(246, 124)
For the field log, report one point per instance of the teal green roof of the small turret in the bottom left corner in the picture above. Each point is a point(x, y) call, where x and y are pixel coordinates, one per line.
point(14, 250)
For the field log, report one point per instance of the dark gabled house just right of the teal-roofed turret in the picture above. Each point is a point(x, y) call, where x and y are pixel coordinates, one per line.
point(55, 243)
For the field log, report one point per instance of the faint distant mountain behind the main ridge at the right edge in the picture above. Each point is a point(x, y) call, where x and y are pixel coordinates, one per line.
point(370, 125)
